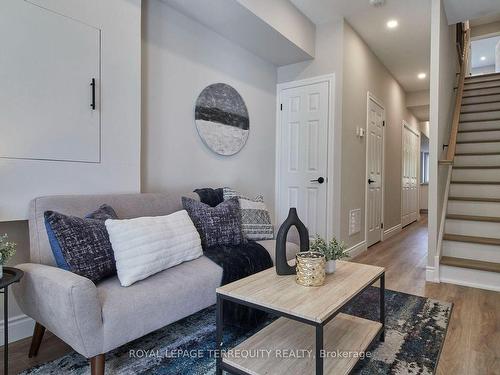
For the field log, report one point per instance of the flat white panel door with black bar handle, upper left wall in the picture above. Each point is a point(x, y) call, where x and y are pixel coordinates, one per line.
point(49, 109)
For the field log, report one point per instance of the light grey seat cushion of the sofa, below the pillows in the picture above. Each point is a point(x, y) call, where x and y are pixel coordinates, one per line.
point(152, 303)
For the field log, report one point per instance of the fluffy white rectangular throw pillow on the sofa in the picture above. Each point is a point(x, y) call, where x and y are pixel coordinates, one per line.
point(147, 245)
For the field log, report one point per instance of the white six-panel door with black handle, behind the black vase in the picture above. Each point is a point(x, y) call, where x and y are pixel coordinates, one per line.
point(303, 154)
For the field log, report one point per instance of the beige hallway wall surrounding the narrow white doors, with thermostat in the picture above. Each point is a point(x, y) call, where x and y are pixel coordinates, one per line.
point(363, 72)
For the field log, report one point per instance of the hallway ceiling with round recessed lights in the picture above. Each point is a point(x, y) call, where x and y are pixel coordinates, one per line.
point(405, 51)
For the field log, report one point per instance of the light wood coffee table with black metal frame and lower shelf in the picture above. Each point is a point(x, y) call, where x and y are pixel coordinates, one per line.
point(310, 333)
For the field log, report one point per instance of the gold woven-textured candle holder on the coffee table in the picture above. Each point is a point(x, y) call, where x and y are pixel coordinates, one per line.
point(310, 268)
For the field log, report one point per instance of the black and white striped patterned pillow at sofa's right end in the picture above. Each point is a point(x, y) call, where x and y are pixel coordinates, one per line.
point(255, 218)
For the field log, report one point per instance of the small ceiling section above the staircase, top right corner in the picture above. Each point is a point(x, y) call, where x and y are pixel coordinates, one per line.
point(463, 10)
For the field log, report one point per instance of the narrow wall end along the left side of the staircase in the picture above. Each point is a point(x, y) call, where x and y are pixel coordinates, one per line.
point(442, 78)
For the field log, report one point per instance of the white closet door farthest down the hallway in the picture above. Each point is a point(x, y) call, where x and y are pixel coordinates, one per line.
point(409, 205)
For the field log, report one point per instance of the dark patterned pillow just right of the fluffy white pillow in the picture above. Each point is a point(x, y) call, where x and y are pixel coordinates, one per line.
point(220, 225)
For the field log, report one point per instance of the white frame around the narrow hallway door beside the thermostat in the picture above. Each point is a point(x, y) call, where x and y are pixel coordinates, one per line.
point(370, 96)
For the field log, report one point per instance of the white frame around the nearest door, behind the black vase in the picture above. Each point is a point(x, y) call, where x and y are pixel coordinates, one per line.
point(331, 175)
